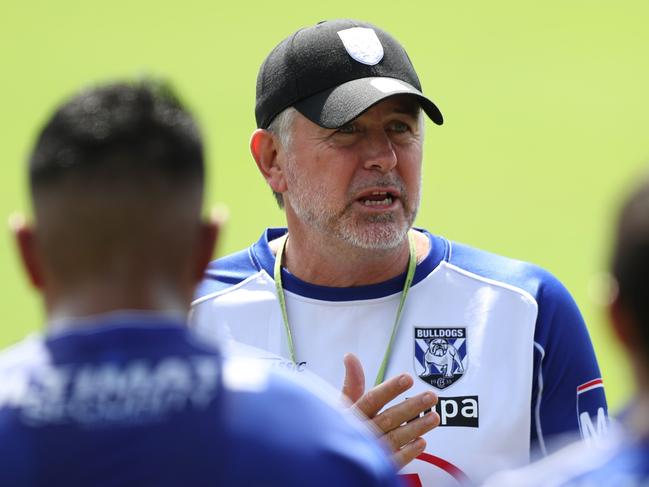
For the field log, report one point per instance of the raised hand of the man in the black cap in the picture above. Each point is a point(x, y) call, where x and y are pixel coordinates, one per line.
point(404, 438)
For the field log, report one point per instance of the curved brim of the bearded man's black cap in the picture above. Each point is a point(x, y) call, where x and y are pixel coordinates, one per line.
point(337, 106)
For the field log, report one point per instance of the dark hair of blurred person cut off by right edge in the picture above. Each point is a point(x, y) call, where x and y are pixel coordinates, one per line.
point(630, 262)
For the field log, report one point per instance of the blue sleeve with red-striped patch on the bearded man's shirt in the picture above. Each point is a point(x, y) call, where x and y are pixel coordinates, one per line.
point(567, 392)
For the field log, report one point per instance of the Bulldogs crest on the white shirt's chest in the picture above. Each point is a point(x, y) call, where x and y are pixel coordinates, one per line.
point(440, 355)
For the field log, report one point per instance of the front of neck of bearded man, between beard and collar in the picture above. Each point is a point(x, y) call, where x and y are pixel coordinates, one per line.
point(336, 264)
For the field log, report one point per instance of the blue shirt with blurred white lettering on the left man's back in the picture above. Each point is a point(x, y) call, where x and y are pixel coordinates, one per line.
point(132, 399)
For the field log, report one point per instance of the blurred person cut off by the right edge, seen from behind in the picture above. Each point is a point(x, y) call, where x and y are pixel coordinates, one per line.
point(622, 456)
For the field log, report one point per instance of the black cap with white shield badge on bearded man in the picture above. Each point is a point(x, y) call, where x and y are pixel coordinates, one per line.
point(333, 72)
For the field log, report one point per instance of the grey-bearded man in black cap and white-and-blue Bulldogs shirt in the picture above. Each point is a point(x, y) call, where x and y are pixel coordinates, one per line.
point(339, 141)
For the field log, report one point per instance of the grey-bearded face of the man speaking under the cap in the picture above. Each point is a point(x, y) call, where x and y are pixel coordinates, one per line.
point(361, 182)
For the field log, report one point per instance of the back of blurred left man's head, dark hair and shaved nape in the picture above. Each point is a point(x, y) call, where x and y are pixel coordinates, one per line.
point(116, 180)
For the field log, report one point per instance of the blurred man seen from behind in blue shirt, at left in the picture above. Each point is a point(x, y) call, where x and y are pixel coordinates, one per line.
point(118, 391)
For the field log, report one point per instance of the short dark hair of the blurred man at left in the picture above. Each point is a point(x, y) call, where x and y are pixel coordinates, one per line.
point(119, 131)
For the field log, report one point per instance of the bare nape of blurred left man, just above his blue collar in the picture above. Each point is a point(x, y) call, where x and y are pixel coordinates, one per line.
point(100, 298)
